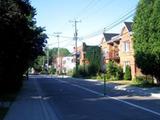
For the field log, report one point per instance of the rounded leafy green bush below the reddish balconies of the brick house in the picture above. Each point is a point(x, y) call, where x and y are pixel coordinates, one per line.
point(114, 72)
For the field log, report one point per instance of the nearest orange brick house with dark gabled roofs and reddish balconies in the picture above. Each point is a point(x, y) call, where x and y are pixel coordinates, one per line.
point(119, 48)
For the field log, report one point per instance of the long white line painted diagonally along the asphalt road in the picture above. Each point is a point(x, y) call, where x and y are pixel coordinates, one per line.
point(114, 98)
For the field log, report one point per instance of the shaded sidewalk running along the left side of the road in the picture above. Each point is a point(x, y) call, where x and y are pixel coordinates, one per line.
point(30, 104)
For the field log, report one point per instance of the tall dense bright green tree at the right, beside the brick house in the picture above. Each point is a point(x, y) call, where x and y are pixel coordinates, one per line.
point(146, 29)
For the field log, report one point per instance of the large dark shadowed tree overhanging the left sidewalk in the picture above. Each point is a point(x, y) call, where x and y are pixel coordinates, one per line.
point(21, 41)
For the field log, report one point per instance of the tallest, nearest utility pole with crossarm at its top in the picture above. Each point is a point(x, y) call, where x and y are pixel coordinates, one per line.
point(76, 38)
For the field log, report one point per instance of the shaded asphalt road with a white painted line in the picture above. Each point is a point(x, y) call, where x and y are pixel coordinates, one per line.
point(77, 99)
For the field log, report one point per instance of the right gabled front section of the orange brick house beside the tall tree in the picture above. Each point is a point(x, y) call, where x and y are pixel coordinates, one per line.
point(126, 52)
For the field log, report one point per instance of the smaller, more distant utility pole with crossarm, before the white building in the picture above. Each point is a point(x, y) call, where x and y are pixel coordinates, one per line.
point(58, 56)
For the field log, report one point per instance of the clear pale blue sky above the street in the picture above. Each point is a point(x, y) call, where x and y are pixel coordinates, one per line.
point(93, 16)
